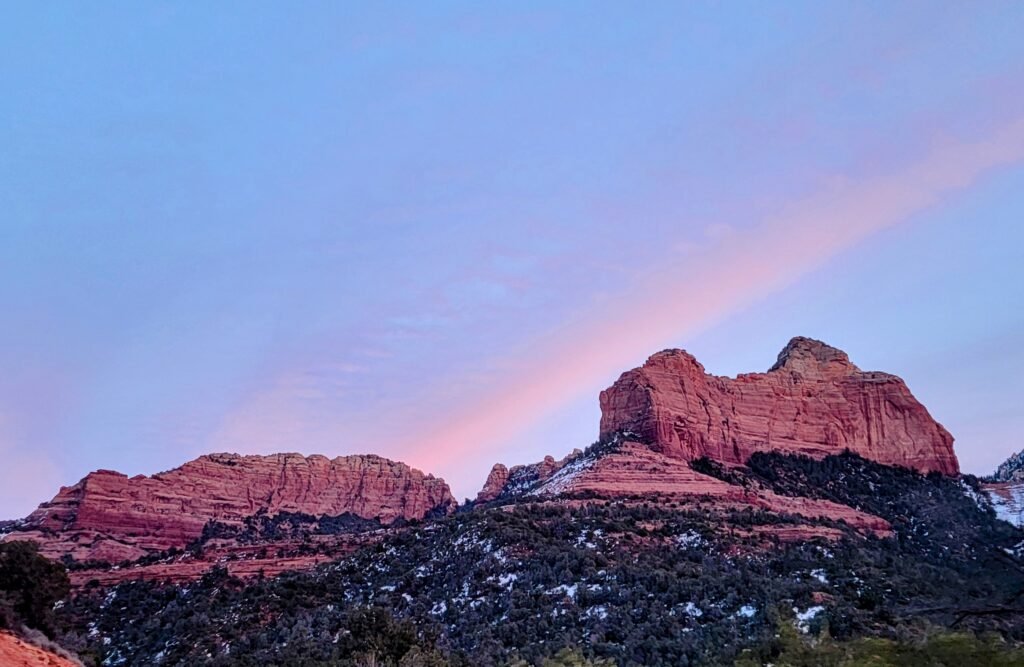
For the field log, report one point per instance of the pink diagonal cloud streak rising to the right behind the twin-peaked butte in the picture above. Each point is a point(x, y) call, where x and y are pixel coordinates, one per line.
point(691, 295)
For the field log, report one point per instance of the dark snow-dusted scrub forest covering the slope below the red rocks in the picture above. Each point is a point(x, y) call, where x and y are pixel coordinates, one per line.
point(636, 582)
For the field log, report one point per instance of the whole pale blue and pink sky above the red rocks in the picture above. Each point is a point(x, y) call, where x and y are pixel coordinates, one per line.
point(437, 231)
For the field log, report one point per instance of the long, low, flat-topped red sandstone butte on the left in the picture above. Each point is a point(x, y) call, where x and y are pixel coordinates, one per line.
point(110, 517)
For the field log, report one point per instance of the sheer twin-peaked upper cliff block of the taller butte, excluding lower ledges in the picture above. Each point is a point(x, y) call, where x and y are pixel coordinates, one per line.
point(814, 402)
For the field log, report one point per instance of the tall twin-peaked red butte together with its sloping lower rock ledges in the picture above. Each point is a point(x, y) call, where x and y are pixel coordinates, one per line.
point(670, 412)
